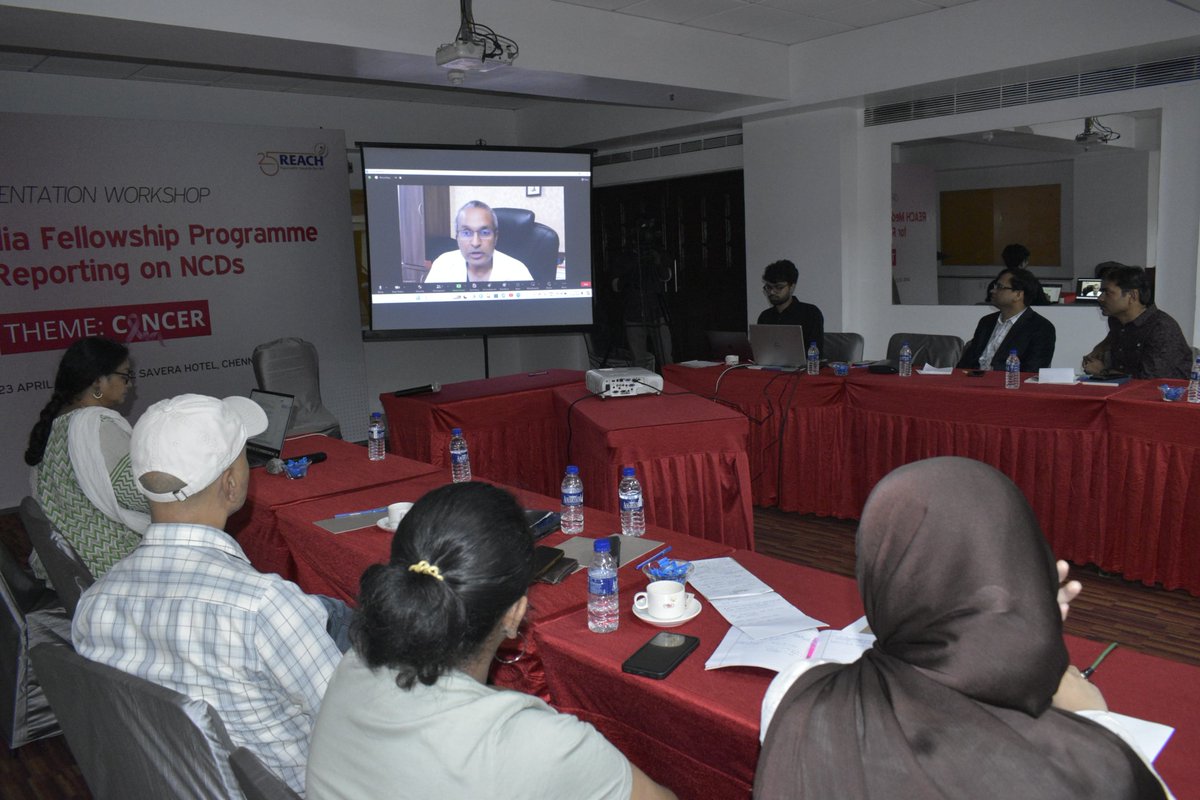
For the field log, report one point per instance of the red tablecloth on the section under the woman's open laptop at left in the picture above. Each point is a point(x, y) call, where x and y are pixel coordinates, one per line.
point(347, 470)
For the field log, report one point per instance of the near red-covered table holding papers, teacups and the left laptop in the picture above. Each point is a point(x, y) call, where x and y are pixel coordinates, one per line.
point(697, 731)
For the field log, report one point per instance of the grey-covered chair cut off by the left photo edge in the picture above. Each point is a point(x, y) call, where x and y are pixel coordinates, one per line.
point(32, 615)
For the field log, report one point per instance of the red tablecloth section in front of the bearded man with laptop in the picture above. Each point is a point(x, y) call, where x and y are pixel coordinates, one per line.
point(796, 431)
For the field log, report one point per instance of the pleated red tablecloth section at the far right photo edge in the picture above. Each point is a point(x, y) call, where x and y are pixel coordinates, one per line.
point(1154, 465)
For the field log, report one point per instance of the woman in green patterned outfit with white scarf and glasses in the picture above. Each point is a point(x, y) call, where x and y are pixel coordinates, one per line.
point(80, 450)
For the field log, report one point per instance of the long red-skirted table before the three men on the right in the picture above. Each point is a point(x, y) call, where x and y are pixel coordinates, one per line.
point(1107, 470)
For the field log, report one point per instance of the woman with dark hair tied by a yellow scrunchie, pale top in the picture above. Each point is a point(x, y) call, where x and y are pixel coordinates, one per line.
point(409, 712)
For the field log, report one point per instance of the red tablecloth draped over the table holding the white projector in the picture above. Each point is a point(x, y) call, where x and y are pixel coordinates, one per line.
point(691, 456)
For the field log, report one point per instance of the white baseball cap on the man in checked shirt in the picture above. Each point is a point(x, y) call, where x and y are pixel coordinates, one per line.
point(193, 438)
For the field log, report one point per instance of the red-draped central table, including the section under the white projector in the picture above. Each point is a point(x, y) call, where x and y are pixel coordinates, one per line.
point(691, 455)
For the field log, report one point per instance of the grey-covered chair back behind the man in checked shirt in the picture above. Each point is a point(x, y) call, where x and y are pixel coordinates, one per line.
point(133, 738)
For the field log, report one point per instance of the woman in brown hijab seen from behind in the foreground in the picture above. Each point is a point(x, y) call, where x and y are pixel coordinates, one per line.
point(955, 700)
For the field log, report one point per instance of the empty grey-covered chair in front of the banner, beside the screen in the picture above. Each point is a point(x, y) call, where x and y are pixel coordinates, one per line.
point(291, 366)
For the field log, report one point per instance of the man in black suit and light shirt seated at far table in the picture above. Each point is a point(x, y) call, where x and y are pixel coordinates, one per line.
point(1015, 327)
